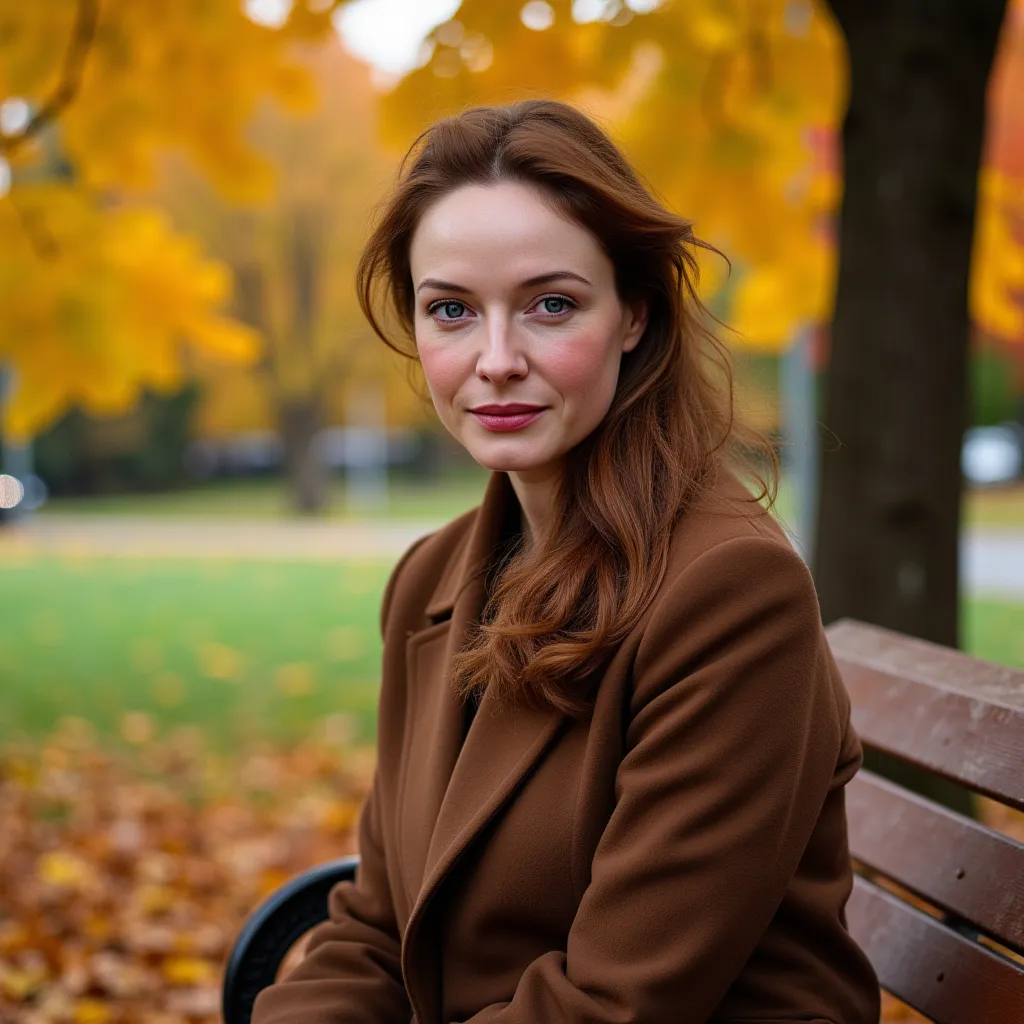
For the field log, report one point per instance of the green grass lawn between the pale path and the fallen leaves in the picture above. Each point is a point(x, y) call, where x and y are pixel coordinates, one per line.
point(248, 651)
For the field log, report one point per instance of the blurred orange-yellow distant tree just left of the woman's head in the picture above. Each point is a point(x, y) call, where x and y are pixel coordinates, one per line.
point(293, 260)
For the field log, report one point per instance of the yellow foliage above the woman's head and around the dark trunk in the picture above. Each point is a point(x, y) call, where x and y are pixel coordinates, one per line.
point(732, 111)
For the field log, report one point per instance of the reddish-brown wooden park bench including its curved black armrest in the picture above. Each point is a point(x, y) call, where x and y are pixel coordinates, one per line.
point(938, 899)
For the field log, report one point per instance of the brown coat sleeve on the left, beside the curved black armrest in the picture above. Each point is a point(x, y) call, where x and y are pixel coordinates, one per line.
point(352, 971)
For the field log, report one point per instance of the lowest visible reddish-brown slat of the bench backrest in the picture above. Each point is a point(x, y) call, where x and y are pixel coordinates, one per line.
point(929, 966)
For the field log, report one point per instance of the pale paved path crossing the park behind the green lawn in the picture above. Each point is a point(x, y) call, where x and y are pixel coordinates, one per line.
point(992, 562)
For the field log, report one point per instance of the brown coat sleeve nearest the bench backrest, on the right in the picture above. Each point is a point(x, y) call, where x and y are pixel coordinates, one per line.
point(732, 747)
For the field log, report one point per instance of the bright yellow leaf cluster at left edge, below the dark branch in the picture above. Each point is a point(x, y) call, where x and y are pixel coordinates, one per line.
point(108, 316)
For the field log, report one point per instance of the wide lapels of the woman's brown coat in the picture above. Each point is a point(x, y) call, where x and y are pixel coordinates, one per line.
point(473, 783)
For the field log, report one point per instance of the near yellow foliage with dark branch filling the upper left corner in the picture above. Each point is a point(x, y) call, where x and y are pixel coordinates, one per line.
point(100, 295)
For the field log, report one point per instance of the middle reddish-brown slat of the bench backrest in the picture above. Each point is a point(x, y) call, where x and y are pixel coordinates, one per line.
point(954, 863)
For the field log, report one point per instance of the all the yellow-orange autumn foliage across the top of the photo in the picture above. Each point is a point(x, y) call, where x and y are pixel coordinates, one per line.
point(731, 109)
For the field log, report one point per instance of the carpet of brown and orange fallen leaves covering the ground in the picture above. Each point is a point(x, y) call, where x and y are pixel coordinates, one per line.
point(127, 871)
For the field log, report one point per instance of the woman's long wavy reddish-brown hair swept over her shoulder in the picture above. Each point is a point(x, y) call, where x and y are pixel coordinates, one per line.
point(558, 611)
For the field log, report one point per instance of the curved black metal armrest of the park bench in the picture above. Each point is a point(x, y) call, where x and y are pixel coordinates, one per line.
point(273, 929)
